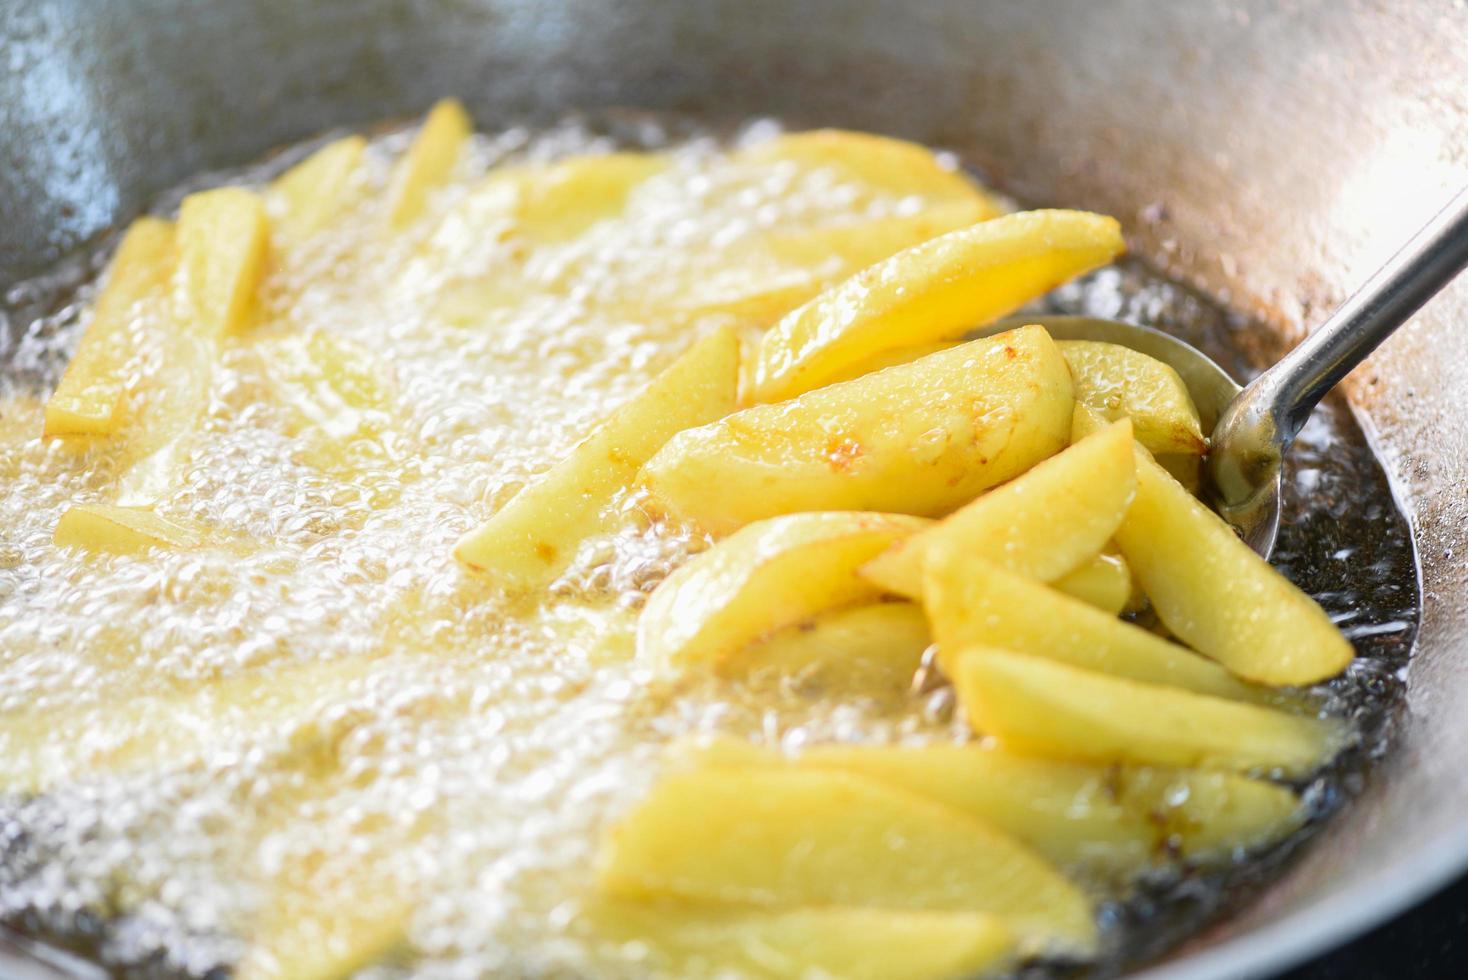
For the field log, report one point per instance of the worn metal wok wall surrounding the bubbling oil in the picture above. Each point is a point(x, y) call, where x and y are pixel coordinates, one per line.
point(1269, 153)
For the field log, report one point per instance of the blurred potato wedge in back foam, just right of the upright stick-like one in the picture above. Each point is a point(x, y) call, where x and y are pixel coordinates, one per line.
point(573, 194)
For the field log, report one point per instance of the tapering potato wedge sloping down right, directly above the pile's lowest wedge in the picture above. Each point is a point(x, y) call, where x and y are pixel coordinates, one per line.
point(973, 602)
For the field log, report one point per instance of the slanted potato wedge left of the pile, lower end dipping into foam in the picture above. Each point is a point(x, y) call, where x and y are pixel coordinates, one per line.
point(534, 536)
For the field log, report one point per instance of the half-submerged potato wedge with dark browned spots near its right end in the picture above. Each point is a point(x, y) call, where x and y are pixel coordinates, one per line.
point(1100, 822)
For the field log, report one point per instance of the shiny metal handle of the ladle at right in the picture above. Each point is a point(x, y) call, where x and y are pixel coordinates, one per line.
point(1263, 422)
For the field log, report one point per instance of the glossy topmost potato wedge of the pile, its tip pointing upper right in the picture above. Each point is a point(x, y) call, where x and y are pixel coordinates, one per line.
point(936, 291)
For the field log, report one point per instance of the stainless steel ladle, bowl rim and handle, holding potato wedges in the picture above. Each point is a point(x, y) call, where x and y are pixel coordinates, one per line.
point(1253, 428)
